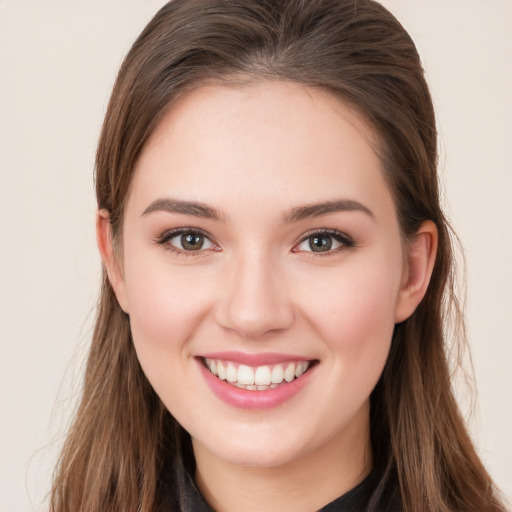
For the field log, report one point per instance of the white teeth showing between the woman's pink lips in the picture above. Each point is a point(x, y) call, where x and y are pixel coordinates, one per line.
point(257, 378)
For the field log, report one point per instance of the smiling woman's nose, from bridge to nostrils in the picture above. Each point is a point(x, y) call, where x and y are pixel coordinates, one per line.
point(255, 299)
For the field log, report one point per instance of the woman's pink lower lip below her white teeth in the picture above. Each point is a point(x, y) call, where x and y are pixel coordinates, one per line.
point(254, 400)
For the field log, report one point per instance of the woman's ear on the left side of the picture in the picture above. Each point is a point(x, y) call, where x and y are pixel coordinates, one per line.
point(110, 260)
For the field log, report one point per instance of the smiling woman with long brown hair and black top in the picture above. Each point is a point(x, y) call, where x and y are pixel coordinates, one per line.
point(277, 274)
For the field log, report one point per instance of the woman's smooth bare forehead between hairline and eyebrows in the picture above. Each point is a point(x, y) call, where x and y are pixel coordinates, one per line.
point(277, 142)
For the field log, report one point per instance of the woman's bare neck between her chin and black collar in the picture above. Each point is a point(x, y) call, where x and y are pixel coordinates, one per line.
point(306, 483)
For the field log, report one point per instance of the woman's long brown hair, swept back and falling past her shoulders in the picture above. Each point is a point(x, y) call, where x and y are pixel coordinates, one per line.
point(123, 439)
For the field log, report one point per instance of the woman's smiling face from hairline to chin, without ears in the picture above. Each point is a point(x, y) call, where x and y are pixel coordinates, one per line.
point(262, 270)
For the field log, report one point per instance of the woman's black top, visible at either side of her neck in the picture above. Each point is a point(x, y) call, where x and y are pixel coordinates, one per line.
point(356, 500)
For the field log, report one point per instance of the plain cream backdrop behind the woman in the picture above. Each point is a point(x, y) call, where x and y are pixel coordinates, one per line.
point(58, 61)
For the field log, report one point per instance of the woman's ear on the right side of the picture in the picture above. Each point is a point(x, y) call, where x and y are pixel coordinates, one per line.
point(417, 271)
